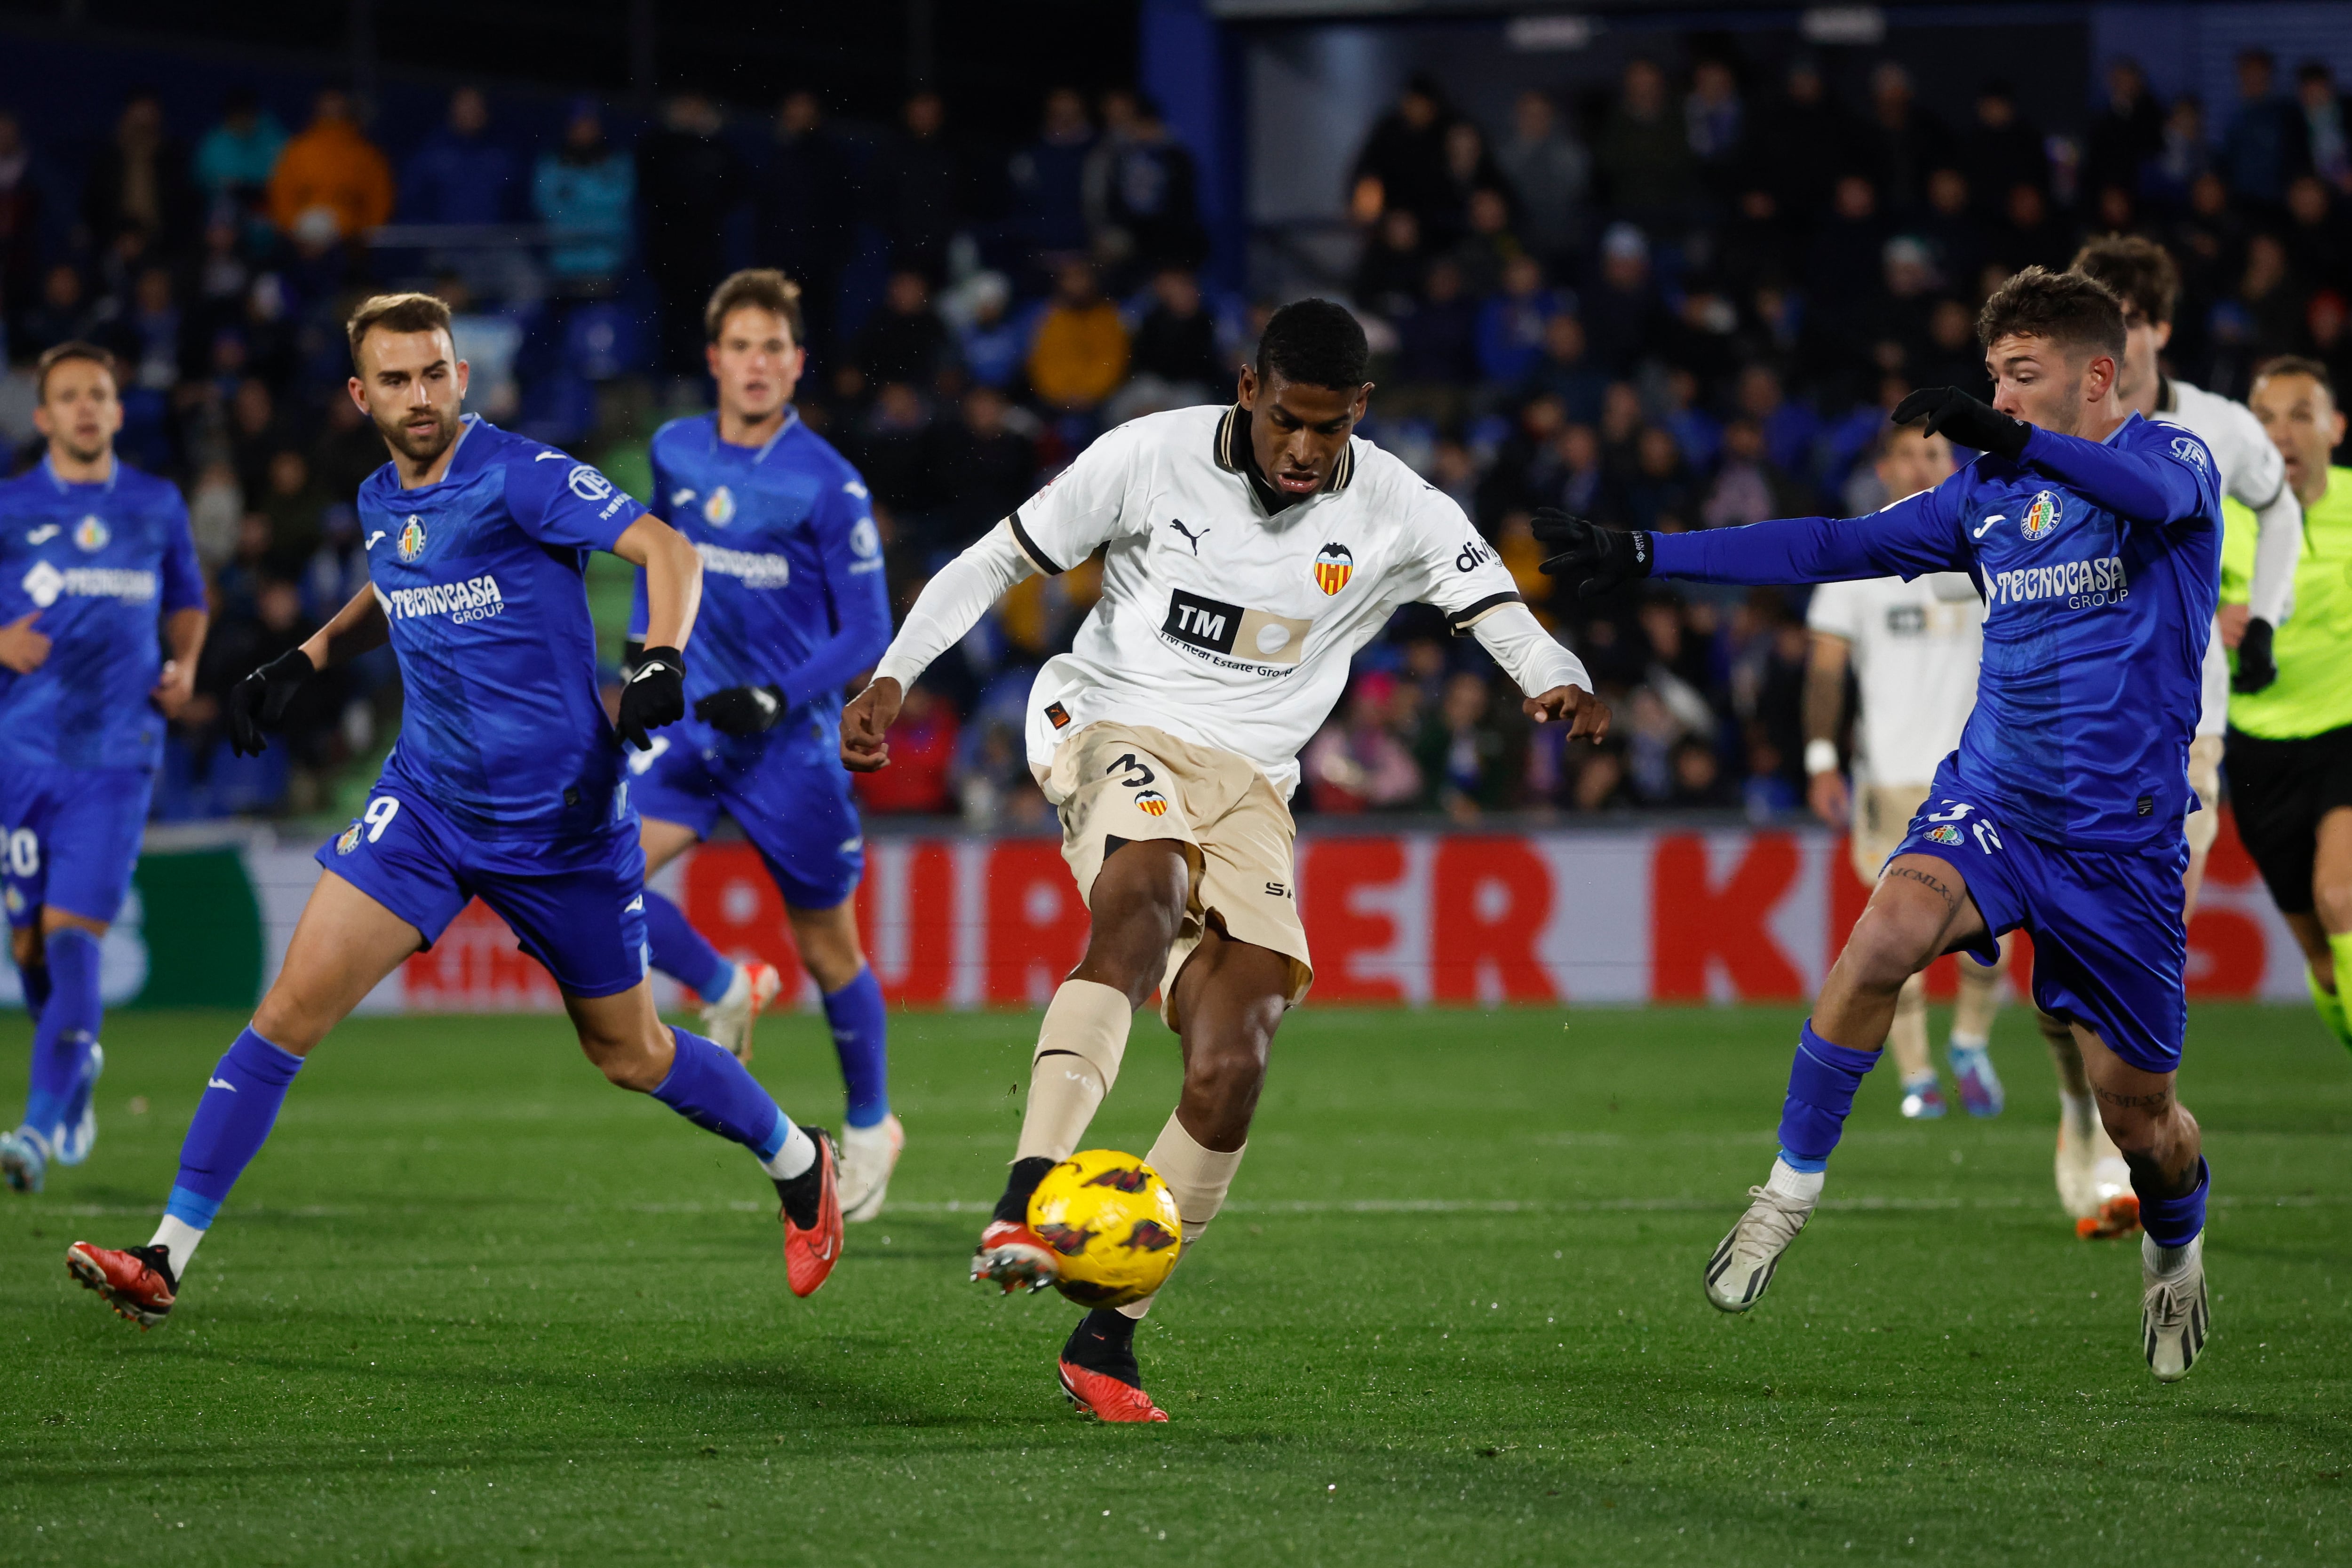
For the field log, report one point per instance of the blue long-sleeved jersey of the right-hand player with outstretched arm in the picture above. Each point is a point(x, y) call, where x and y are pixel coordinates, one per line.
point(2099, 565)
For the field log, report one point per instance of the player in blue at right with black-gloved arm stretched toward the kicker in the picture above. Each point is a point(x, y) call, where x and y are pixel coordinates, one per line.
point(2097, 544)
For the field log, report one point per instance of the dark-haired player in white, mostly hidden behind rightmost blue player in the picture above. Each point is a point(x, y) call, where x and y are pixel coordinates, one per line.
point(2092, 1177)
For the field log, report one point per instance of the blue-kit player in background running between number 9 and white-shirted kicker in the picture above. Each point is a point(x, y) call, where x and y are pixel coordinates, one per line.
point(794, 608)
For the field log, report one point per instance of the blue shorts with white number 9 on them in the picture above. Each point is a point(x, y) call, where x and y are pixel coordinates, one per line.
point(575, 904)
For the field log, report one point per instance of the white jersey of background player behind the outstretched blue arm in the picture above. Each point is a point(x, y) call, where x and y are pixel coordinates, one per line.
point(1916, 650)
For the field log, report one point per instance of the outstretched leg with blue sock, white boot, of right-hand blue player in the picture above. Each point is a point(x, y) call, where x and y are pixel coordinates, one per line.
point(1920, 911)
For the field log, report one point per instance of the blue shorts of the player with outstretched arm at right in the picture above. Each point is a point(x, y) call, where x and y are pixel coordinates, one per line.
point(2111, 949)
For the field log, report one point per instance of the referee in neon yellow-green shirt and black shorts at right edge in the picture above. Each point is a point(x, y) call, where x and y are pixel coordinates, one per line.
point(2292, 744)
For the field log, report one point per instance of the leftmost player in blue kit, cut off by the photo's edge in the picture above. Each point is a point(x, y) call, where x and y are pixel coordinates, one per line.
point(91, 556)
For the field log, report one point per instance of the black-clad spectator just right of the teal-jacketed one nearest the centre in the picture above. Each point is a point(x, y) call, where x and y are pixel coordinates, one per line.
point(690, 182)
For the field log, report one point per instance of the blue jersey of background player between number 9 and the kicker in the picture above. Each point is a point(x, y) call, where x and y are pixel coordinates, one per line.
point(794, 591)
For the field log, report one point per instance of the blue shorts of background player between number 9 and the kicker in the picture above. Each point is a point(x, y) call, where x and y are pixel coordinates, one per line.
point(791, 798)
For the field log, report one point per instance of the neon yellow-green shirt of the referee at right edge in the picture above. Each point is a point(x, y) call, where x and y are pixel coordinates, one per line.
point(2313, 692)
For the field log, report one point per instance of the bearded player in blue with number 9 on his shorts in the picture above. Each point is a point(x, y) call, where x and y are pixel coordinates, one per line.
point(507, 784)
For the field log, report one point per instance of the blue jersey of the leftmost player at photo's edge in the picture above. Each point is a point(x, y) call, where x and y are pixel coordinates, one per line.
point(98, 565)
